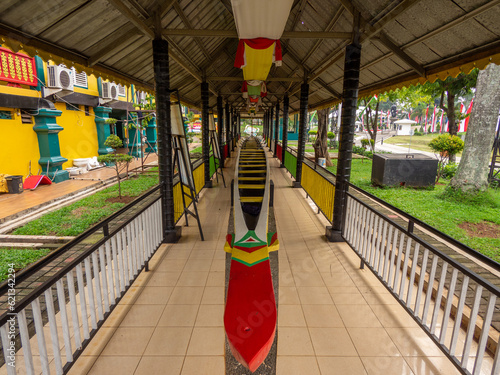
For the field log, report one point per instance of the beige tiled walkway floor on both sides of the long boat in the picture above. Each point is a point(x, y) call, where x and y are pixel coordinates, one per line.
point(333, 317)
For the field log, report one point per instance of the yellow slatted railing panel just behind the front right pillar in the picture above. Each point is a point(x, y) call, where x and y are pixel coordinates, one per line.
point(319, 189)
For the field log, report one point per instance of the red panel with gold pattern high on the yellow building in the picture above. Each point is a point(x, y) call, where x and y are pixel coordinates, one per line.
point(17, 67)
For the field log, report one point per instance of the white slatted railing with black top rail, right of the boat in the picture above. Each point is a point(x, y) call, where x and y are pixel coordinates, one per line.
point(452, 304)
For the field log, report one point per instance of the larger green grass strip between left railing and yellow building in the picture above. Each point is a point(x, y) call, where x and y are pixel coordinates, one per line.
point(77, 217)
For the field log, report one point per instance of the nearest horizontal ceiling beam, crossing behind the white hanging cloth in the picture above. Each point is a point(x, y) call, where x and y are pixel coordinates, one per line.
point(202, 33)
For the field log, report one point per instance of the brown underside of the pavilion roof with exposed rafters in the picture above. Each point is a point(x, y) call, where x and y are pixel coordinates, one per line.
point(403, 42)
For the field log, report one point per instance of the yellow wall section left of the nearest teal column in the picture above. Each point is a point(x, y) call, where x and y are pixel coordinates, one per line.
point(18, 146)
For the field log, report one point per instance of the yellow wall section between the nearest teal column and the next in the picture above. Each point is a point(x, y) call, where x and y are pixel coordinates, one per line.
point(79, 137)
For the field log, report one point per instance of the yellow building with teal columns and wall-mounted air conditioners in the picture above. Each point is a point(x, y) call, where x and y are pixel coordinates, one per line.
point(51, 115)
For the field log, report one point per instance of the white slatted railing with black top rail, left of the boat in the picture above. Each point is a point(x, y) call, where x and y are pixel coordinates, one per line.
point(78, 298)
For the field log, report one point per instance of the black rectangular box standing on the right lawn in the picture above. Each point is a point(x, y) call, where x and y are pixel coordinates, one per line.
point(414, 170)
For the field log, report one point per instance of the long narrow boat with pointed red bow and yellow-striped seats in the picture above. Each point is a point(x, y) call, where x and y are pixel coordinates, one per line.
point(250, 313)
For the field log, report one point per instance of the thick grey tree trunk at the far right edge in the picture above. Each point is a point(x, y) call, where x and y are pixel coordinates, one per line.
point(472, 173)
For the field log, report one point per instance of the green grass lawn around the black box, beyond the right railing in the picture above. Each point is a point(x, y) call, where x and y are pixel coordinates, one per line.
point(436, 209)
